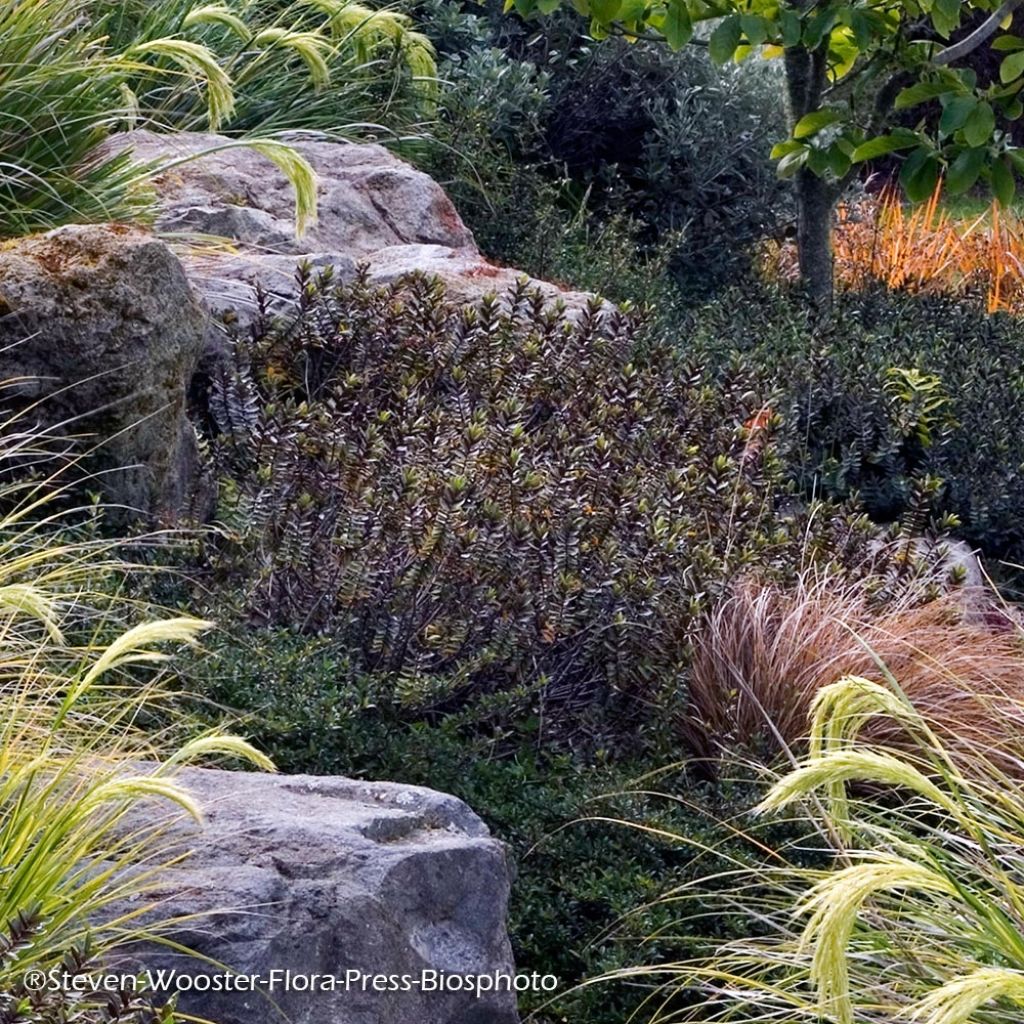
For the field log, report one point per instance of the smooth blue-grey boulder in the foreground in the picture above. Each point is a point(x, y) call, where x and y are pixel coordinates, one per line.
point(331, 877)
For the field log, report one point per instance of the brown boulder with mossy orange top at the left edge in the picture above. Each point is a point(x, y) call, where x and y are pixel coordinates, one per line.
point(102, 331)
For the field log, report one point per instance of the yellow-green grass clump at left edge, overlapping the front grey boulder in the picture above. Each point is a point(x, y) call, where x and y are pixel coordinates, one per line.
point(80, 749)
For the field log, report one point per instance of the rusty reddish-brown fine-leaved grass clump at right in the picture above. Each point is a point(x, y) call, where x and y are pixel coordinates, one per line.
point(766, 652)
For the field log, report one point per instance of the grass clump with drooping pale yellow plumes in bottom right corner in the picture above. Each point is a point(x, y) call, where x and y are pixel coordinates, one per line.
point(918, 911)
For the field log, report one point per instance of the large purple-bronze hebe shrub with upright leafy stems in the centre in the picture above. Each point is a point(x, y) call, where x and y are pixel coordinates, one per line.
point(501, 498)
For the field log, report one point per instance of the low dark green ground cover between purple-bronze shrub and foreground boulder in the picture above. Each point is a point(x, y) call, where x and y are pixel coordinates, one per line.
point(585, 892)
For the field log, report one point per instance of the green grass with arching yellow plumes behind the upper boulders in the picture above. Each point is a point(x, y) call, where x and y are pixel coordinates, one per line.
point(73, 72)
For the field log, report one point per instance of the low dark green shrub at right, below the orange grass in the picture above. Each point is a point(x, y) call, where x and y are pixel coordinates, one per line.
point(892, 390)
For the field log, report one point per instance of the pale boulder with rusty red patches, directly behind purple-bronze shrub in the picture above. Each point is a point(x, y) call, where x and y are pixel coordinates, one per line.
point(373, 209)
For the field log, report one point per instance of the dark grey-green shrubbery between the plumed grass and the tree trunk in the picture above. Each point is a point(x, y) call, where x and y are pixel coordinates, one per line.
point(539, 132)
